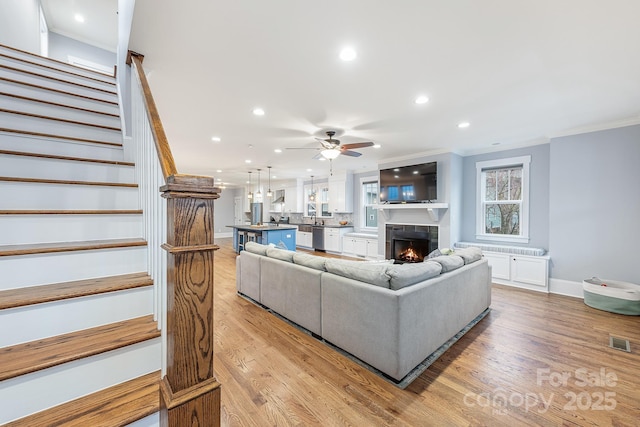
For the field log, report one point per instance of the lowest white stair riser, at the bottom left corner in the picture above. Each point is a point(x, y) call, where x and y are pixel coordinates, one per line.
point(50, 387)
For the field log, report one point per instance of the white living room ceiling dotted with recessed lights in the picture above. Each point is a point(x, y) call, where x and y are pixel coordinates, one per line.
point(519, 72)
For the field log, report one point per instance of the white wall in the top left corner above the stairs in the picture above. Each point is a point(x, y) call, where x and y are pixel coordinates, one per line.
point(20, 24)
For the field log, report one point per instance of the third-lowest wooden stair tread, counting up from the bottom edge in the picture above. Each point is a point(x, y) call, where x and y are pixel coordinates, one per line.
point(59, 291)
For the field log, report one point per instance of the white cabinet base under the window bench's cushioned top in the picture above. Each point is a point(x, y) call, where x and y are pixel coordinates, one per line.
point(531, 272)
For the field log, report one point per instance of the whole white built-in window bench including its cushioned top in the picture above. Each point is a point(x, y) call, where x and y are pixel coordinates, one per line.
point(519, 266)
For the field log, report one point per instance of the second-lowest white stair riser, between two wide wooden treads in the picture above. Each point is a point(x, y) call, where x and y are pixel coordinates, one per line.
point(73, 315)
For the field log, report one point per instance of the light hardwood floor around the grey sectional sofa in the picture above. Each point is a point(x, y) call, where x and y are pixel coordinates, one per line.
point(536, 359)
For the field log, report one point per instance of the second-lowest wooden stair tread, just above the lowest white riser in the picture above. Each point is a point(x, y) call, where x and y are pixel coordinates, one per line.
point(21, 359)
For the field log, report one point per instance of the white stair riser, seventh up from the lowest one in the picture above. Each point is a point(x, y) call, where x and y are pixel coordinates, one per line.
point(59, 147)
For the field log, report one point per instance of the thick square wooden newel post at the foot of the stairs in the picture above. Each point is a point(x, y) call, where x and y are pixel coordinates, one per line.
point(189, 392)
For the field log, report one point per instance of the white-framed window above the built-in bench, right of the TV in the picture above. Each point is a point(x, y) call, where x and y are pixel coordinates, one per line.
point(503, 200)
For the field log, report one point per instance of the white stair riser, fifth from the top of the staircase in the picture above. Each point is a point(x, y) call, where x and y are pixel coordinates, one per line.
point(47, 110)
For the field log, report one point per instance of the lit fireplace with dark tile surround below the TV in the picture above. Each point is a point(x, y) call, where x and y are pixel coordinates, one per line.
point(410, 243)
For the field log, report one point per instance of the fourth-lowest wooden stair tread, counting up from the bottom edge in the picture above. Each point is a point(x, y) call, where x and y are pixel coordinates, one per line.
point(43, 248)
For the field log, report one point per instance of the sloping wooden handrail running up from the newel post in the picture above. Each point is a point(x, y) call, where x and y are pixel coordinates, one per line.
point(167, 164)
